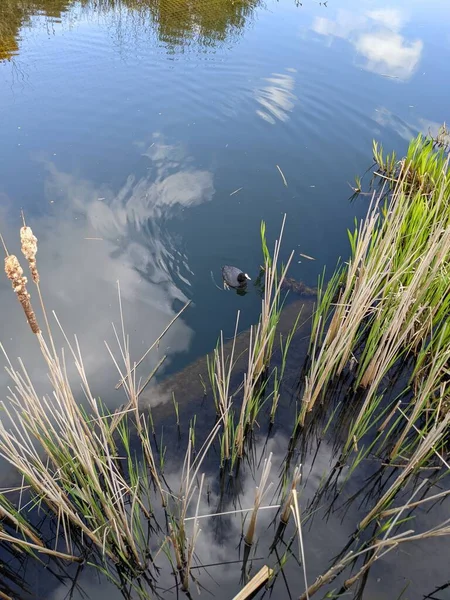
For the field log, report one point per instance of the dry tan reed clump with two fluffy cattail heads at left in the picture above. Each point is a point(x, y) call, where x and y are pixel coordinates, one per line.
point(76, 460)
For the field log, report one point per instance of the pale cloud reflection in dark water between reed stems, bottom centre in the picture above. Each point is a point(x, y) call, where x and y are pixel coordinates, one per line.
point(219, 541)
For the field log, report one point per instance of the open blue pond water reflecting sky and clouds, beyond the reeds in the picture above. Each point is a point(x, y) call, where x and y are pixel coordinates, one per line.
point(142, 140)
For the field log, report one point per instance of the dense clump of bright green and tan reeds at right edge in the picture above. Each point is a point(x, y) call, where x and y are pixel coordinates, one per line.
point(388, 305)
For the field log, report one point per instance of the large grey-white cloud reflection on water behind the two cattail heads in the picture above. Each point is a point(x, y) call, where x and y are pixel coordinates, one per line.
point(79, 275)
